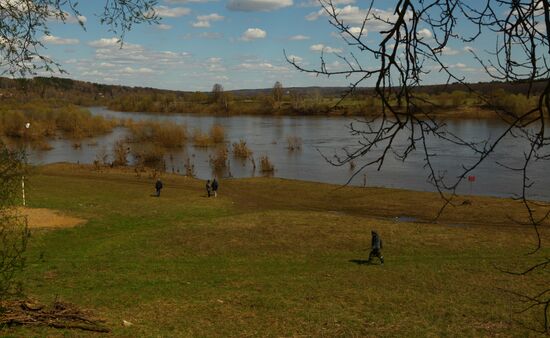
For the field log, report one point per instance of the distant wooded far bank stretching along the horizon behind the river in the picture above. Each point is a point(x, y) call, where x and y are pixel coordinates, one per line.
point(451, 100)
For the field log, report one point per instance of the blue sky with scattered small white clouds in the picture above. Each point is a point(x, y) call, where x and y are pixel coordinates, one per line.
point(237, 43)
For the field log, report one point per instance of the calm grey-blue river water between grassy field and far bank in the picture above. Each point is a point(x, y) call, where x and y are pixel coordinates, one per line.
point(267, 135)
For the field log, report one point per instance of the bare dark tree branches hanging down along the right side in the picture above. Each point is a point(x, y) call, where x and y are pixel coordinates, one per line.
point(410, 44)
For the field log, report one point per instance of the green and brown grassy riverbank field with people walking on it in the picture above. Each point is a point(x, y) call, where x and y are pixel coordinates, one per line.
point(276, 258)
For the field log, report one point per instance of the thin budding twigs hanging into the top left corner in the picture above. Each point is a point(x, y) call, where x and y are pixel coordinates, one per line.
point(23, 24)
